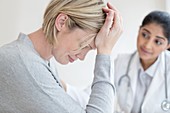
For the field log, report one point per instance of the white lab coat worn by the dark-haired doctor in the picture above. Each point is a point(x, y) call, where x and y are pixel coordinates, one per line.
point(125, 96)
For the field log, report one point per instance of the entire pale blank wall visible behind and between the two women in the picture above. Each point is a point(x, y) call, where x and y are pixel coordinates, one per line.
point(26, 16)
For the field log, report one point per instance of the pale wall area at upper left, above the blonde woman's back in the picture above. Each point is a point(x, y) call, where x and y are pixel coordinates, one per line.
point(19, 16)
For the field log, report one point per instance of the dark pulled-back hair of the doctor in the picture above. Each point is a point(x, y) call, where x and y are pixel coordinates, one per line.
point(161, 18)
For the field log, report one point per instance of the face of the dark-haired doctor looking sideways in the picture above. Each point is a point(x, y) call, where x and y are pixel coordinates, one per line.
point(151, 42)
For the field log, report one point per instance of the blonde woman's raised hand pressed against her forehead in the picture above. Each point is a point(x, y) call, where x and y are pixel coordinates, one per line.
point(110, 31)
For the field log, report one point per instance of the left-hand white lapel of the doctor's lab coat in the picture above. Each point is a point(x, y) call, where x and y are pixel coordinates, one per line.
point(133, 74)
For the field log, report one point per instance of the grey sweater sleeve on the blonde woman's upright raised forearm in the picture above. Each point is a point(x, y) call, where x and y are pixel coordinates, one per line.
point(102, 96)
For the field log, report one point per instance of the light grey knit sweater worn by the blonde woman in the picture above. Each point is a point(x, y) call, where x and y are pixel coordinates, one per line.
point(29, 85)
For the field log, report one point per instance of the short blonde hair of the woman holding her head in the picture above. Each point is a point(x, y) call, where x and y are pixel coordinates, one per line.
point(85, 14)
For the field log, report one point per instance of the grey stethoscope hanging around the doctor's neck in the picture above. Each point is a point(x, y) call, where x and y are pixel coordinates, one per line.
point(165, 105)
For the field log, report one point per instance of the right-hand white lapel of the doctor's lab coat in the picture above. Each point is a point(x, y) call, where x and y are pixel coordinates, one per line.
point(158, 79)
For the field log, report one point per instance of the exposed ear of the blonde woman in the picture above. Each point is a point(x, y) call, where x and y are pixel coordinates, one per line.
point(60, 21)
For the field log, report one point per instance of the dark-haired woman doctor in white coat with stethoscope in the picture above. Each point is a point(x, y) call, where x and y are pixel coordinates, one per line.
point(142, 79)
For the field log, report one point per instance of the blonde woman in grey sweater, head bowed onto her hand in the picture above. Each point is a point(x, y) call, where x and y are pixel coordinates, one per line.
point(29, 83)
